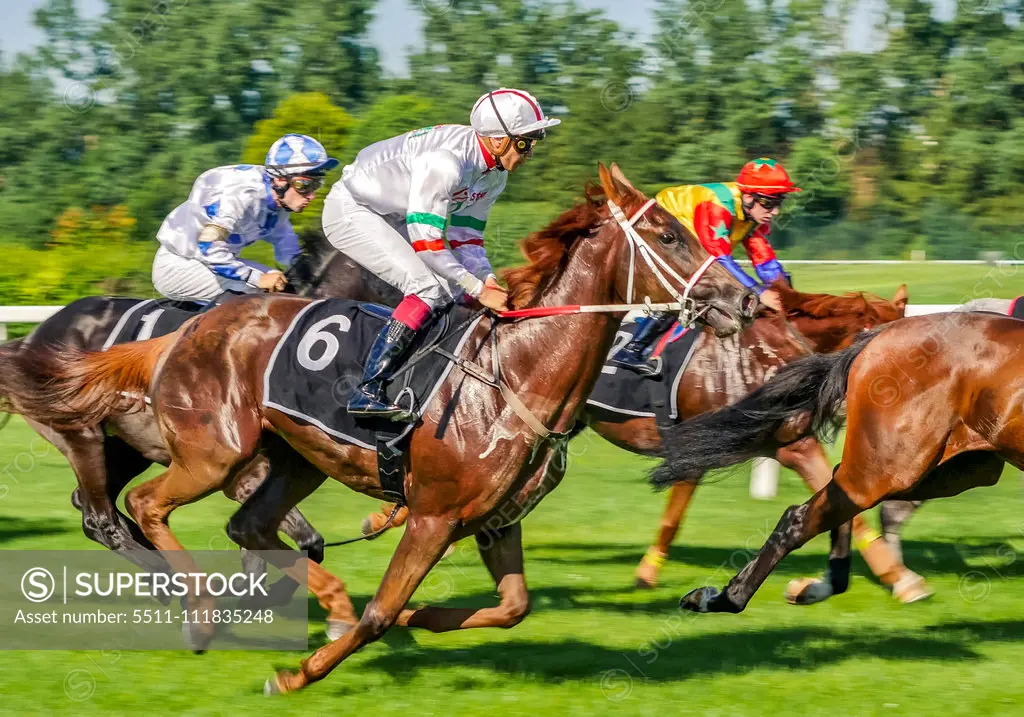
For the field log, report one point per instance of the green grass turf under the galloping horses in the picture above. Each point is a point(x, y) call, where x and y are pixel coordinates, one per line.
point(592, 646)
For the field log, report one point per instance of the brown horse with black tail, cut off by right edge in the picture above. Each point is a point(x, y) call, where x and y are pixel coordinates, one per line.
point(933, 406)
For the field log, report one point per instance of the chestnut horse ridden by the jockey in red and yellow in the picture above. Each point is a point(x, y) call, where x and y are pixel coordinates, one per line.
point(722, 372)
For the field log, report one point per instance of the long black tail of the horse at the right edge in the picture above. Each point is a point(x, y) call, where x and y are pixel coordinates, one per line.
point(806, 397)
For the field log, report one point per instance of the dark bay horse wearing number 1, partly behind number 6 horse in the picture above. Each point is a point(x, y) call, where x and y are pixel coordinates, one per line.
point(107, 457)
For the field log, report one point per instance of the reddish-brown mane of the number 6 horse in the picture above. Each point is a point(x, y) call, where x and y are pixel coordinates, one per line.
point(547, 250)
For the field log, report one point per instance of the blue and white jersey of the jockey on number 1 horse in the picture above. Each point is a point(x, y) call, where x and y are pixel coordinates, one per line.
point(240, 200)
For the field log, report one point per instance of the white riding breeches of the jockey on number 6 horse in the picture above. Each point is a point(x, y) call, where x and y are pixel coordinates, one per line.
point(381, 246)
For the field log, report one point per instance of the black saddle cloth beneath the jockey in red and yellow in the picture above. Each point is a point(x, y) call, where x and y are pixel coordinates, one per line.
point(622, 395)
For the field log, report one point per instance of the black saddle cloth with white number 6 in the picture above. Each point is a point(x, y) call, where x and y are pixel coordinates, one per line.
point(318, 364)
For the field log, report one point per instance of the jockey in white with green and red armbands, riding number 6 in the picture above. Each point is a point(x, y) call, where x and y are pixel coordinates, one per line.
point(391, 210)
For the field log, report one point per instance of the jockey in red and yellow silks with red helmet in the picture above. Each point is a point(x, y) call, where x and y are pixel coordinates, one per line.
point(722, 216)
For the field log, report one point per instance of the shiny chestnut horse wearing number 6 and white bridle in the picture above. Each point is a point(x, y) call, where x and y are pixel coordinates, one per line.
point(206, 387)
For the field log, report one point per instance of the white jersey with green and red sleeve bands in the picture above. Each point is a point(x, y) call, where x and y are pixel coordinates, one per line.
point(433, 179)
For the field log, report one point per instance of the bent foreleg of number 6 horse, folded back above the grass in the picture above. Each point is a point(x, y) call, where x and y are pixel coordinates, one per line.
point(502, 554)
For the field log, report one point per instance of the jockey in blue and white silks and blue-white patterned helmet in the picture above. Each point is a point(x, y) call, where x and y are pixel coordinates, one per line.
point(231, 208)
